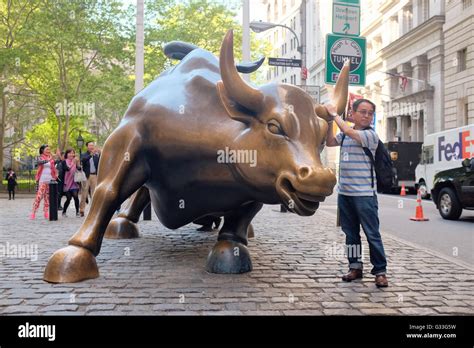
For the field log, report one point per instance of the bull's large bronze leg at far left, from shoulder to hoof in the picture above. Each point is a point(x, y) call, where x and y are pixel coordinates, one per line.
point(122, 171)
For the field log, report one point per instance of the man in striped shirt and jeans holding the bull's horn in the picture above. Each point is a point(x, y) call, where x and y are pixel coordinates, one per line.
point(357, 199)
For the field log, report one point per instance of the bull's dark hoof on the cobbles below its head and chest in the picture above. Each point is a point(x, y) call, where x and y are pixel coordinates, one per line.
point(228, 257)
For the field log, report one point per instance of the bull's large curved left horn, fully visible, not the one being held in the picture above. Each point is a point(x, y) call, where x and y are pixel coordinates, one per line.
point(237, 89)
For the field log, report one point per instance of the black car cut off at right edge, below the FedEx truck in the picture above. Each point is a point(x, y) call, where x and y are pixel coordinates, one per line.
point(453, 190)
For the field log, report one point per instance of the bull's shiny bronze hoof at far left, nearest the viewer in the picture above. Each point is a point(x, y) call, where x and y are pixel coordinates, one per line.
point(70, 265)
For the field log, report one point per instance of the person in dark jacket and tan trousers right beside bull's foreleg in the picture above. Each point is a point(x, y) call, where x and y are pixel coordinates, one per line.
point(90, 165)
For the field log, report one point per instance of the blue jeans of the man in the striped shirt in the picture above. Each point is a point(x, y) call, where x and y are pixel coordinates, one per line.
point(356, 211)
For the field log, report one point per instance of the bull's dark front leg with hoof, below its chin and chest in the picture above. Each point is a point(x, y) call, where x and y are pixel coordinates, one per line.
point(230, 253)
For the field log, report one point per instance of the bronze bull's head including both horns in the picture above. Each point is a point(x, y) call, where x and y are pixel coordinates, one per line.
point(280, 123)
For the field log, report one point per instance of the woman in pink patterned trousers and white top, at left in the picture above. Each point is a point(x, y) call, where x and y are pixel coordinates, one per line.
point(46, 173)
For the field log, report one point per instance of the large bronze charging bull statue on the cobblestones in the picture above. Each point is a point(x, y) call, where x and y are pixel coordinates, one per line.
point(178, 145)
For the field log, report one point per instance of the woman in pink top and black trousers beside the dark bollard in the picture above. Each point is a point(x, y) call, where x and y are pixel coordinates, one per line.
point(70, 188)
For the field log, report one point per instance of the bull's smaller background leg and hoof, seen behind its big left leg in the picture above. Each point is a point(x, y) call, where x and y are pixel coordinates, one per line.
point(124, 225)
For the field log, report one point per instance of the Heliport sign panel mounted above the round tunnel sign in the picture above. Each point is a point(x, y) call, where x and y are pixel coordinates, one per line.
point(345, 19)
